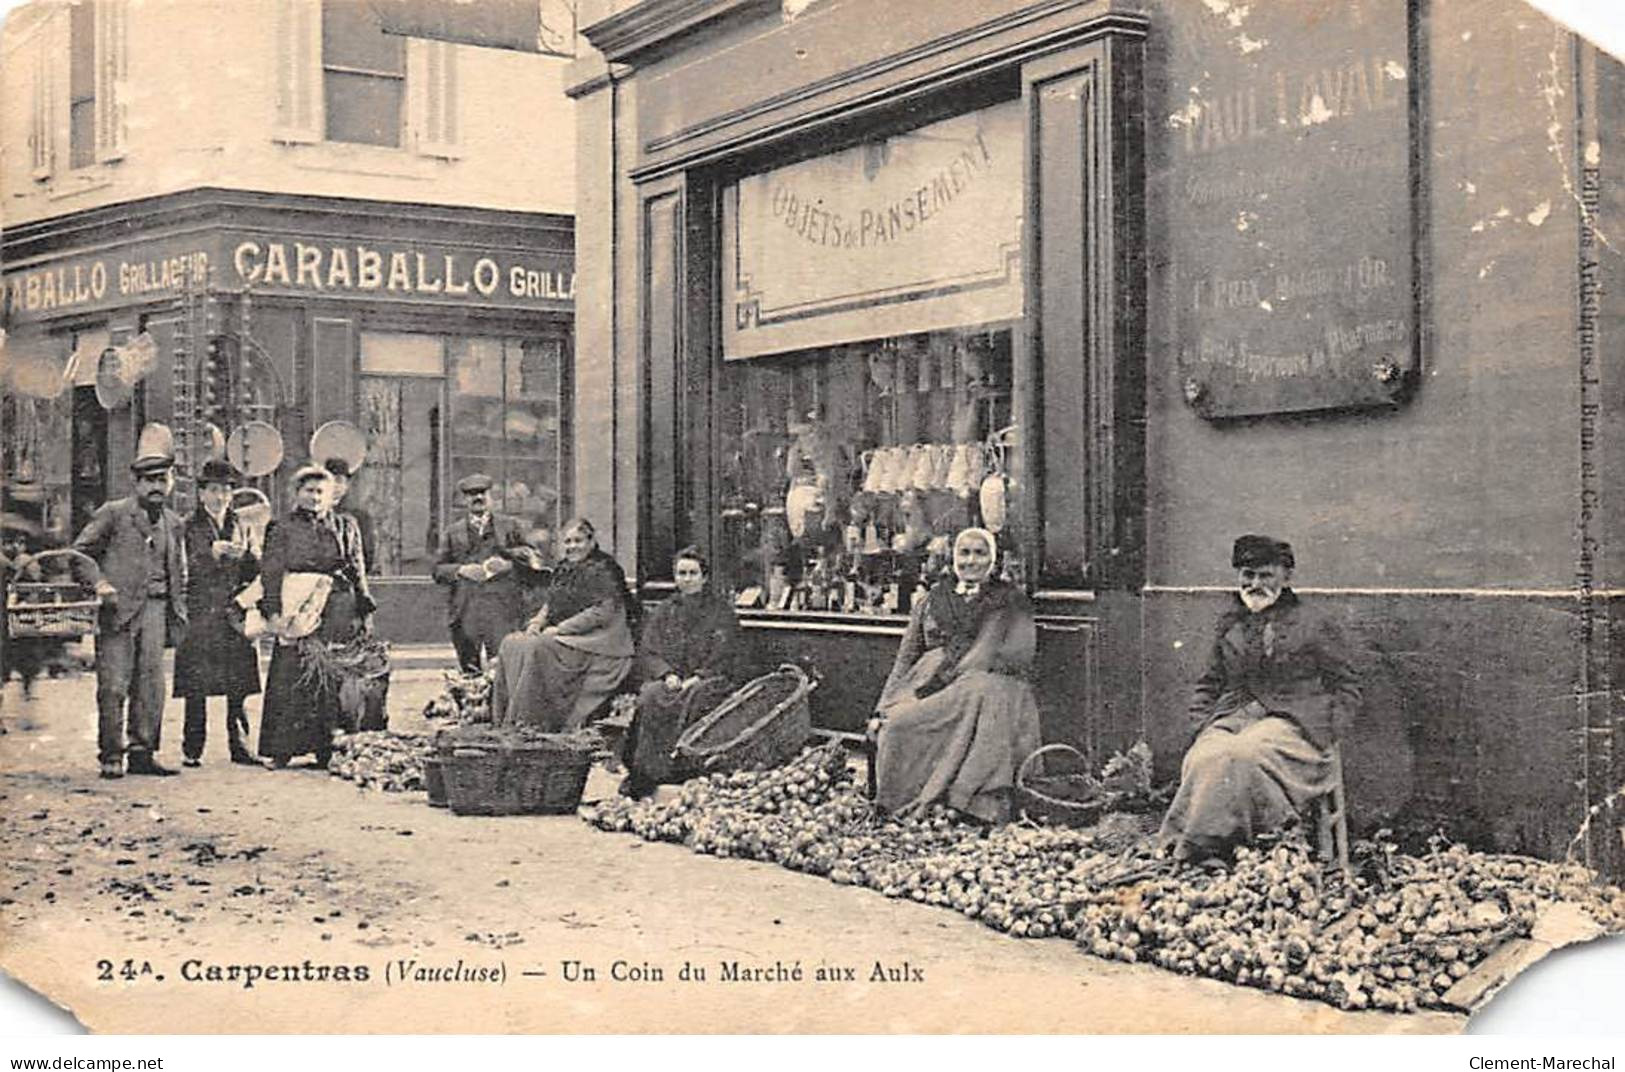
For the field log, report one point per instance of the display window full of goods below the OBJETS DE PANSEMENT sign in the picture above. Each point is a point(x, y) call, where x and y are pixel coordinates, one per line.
point(847, 470)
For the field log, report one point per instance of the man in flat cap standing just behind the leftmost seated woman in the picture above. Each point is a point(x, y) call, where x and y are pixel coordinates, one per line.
point(477, 563)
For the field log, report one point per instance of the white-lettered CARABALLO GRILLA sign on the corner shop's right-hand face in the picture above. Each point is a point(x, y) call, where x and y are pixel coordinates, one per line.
point(401, 272)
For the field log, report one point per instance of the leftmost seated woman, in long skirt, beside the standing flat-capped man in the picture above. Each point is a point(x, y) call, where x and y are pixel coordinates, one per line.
point(576, 652)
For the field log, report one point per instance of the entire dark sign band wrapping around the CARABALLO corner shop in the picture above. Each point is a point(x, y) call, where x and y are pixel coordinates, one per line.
point(290, 266)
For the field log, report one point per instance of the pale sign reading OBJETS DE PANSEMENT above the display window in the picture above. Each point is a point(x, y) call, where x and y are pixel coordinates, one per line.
point(916, 233)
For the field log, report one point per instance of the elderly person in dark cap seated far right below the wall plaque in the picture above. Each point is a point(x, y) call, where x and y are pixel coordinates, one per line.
point(1278, 691)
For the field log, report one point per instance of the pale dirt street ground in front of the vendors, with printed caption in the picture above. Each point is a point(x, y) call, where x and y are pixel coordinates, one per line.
point(132, 902)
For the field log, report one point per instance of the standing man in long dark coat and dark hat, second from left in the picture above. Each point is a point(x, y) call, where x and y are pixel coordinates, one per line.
point(215, 659)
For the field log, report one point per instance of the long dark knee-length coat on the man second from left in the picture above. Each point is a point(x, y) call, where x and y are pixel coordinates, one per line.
point(215, 659)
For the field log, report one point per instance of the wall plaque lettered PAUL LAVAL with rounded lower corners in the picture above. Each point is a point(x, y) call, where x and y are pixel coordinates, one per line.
point(1291, 207)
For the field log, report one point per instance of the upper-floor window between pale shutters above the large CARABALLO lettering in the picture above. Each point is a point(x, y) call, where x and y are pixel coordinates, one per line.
point(363, 76)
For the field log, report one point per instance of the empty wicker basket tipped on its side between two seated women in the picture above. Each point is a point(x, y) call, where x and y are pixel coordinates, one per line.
point(763, 725)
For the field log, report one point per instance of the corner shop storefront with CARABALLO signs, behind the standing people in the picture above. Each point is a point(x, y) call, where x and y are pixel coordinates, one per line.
point(443, 334)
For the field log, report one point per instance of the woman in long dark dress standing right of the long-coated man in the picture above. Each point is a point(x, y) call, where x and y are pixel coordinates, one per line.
point(301, 714)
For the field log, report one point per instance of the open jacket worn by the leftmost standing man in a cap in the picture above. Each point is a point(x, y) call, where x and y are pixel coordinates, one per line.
point(116, 538)
